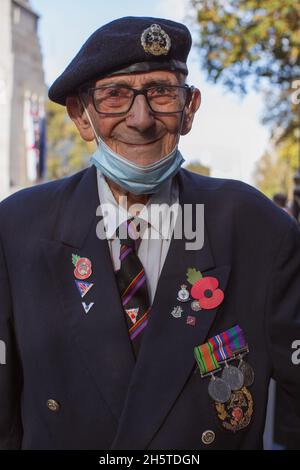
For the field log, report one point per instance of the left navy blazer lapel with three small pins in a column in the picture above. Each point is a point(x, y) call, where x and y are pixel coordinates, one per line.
point(101, 335)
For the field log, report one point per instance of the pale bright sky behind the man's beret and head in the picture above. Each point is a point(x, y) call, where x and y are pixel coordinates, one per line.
point(227, 134)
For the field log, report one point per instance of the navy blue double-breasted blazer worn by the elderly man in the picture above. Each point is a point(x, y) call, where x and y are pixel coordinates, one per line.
point(107, 400)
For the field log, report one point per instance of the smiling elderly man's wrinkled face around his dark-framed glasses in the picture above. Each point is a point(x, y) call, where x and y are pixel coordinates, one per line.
point(141, 136)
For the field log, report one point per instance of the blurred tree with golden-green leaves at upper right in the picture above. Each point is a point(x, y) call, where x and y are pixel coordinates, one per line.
point(246, 43)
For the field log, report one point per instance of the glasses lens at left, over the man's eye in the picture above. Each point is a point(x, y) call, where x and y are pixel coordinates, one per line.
point(113, 99)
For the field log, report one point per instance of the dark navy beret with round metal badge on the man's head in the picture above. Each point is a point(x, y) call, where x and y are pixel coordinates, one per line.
point(126, 45)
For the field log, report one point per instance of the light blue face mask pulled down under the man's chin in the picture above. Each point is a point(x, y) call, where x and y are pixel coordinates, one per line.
point(136, 178)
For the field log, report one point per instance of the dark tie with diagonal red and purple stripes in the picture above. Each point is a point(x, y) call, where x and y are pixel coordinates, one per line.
point(131, 280)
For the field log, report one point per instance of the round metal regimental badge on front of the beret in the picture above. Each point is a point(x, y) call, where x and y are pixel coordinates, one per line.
point(155, 40)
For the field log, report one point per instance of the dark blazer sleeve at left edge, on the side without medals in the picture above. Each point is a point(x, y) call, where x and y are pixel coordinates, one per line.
point(10, 369)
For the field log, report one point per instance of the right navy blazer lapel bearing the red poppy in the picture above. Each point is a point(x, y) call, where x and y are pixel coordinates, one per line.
point(166, 358)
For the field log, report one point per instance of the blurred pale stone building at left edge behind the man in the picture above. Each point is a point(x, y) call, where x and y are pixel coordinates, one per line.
point(22, 98)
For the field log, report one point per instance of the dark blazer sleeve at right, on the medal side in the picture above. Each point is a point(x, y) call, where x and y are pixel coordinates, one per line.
point(283, 319)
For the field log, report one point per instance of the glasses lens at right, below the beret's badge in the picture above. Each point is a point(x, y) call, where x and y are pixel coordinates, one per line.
point(167, 99)
